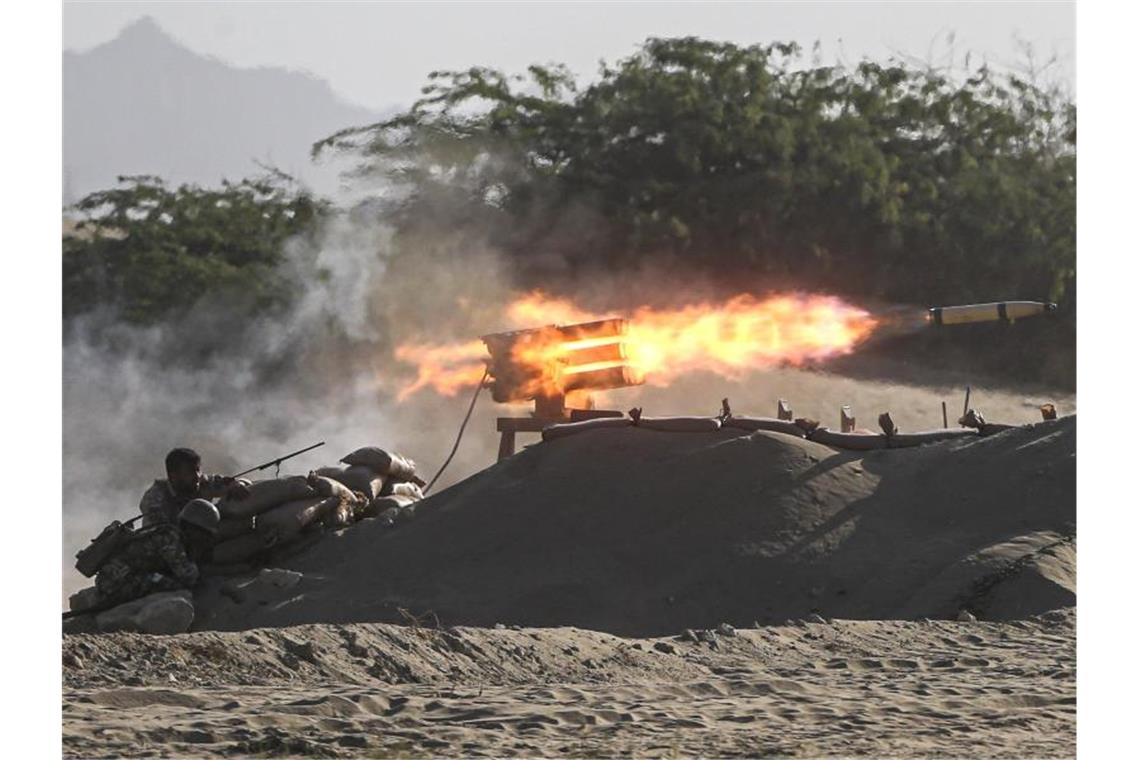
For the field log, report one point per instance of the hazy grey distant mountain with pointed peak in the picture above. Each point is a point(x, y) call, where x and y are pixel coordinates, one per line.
point(143, 104)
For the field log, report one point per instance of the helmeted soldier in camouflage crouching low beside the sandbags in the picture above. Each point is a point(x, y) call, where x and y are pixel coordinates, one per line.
point(164, 558)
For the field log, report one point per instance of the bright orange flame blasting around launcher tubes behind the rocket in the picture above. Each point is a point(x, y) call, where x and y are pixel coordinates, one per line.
point(730, 339)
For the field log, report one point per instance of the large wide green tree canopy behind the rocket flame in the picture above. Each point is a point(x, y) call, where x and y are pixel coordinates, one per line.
point(884, 181)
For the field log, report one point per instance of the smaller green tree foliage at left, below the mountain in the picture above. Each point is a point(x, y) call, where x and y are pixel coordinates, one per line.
point(151, 252)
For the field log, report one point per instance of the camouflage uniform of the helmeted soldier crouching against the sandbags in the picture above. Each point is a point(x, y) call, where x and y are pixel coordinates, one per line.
point(154, 561)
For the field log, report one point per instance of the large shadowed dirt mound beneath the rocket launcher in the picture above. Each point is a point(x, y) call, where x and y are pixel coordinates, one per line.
point(644, 533)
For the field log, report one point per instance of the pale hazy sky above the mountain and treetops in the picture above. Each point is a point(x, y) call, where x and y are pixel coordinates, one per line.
point(379, 54)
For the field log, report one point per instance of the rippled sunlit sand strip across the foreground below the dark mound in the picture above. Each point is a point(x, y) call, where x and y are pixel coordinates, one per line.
point(840, 688)
